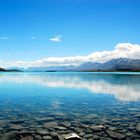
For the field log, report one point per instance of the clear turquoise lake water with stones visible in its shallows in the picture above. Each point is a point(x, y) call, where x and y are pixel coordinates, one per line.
point(101, 106)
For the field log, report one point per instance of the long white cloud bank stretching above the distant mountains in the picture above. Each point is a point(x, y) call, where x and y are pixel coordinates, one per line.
point(123, 50)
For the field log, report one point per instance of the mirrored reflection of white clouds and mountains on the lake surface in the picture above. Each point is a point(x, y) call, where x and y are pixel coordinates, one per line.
point(123, 87)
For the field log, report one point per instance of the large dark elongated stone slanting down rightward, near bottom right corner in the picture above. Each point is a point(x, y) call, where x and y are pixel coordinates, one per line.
point(115, 135)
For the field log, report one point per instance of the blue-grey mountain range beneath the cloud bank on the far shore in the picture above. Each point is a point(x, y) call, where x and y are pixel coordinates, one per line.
point(120, 64)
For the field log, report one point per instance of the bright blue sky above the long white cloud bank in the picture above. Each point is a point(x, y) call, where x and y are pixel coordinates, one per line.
point(36, 29)
